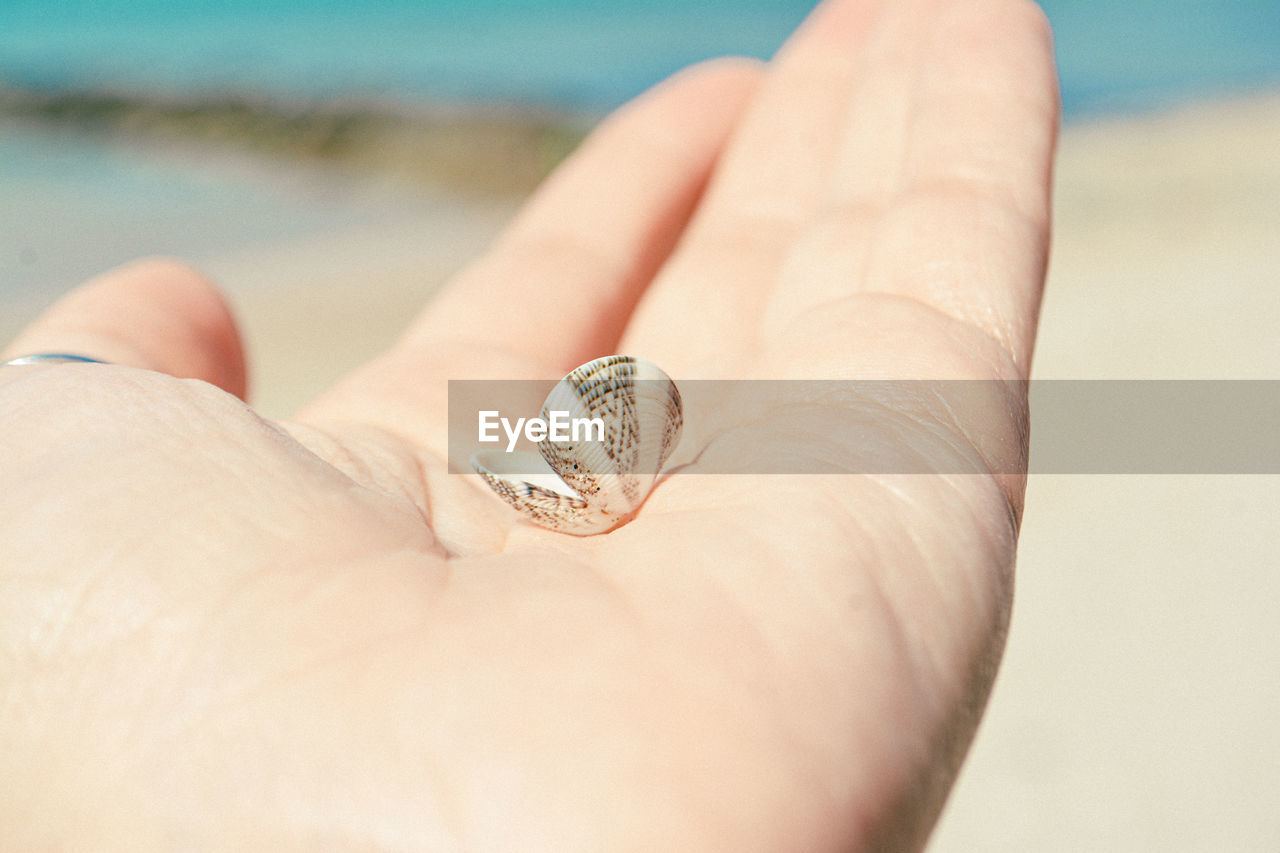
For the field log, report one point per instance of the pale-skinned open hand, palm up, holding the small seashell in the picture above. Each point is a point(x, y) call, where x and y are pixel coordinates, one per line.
point(226, 633)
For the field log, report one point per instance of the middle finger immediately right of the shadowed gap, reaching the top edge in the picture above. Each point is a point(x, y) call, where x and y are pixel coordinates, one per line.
point(771, 181)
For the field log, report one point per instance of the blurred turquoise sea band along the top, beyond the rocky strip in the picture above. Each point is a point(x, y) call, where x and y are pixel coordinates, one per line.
point(575, 54)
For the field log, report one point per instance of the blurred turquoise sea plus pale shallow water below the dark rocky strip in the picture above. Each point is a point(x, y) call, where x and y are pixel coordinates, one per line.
point(75, 200)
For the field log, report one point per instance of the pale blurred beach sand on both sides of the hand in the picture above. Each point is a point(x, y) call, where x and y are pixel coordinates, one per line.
point(1139, 701)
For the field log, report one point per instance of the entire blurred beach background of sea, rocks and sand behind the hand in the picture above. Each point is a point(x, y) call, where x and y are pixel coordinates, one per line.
point(331, 163)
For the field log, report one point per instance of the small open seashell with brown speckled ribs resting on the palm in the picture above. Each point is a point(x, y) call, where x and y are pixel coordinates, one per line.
point(596, 485)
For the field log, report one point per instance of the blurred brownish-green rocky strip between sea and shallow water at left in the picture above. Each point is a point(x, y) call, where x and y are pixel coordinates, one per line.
point(493, 149)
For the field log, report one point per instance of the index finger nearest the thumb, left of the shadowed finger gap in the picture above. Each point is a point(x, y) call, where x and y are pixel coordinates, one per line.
point(560, 286)
